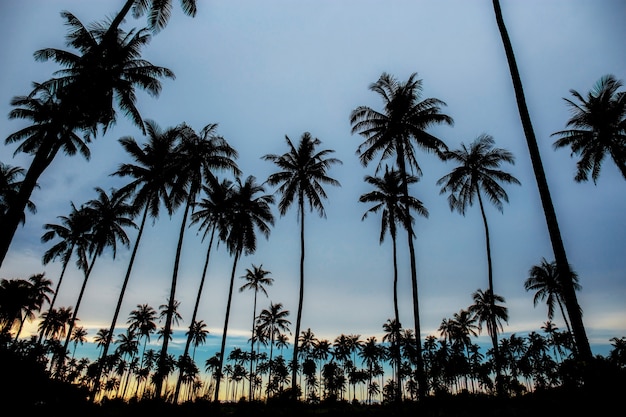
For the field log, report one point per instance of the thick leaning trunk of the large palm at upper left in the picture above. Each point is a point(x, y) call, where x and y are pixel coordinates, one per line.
point(13, 216)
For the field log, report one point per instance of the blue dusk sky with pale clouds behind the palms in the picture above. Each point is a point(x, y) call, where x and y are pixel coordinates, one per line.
point(264, 70)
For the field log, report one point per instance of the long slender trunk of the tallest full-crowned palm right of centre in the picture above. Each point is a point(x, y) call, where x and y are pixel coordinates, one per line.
point(421, 375)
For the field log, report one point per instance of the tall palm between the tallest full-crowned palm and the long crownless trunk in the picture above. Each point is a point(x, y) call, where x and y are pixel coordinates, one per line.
point(478, 171)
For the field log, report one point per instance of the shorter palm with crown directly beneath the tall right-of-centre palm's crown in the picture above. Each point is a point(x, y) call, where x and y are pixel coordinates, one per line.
point(389, 198)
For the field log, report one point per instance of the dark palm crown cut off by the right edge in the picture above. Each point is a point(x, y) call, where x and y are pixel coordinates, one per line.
point(598, 128)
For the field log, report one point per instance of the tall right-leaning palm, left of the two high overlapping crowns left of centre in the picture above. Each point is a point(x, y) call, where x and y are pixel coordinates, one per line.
point(152, 176)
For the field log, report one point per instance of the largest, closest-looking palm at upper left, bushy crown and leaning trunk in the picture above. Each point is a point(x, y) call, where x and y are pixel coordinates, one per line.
point(81, 98)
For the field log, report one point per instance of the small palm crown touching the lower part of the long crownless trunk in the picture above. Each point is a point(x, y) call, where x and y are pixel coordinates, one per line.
point(545, 280)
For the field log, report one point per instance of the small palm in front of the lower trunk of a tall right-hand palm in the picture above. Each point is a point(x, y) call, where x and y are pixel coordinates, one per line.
point(485, 310)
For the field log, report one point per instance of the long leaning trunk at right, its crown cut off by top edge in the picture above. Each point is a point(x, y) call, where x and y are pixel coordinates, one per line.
point(571, 302)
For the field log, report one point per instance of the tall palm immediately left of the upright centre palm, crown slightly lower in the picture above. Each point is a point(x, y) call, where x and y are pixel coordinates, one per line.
point(248, 212)
